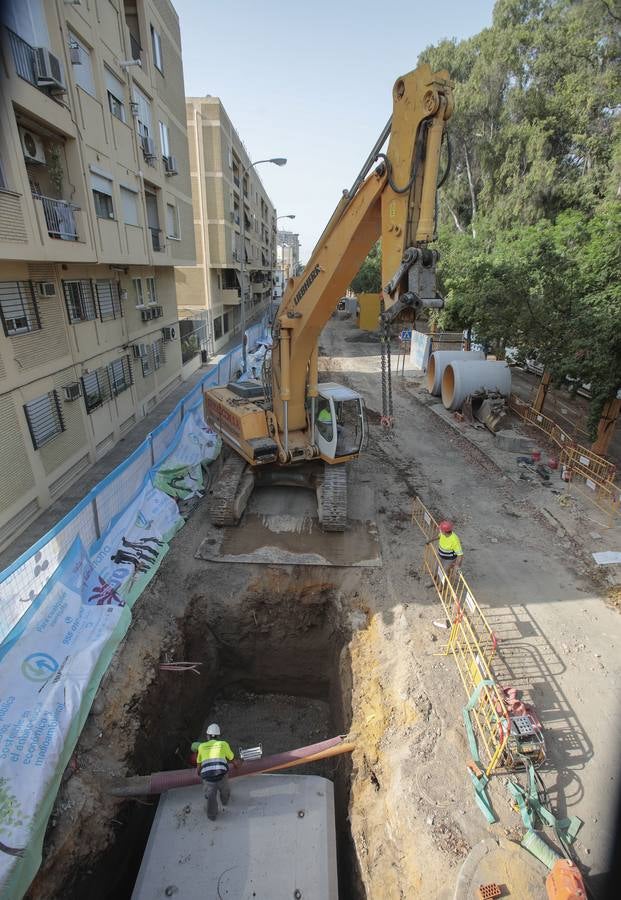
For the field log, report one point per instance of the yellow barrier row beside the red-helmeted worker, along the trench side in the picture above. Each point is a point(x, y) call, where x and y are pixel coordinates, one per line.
point(472, 644)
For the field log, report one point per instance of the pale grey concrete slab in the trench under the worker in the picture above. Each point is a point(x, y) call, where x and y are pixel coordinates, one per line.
point(276, 838)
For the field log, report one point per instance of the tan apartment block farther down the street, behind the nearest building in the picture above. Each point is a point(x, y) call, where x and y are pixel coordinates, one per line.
point(225, 188)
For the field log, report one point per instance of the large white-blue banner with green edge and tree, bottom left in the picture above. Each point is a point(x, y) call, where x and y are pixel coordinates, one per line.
point(51, 665)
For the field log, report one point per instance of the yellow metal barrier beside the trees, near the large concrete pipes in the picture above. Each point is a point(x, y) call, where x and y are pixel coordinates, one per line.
point(591, 474)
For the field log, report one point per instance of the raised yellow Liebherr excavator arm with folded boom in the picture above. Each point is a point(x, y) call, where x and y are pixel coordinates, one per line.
point(397, 203)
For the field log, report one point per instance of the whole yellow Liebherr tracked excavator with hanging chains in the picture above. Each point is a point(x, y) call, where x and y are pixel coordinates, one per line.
point(289, 428)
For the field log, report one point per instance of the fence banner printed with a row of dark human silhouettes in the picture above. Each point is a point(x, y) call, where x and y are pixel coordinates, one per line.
point(129, 553)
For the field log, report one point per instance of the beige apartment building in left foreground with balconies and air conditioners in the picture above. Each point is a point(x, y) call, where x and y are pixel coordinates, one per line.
point(95, 212)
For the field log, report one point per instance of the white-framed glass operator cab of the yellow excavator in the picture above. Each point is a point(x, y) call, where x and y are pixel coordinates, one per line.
point(340, 422)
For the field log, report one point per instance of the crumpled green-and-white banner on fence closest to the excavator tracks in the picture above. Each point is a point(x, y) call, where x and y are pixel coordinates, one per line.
point(180, 473)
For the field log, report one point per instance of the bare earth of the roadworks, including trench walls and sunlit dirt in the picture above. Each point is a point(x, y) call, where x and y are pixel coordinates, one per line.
point(290, 654)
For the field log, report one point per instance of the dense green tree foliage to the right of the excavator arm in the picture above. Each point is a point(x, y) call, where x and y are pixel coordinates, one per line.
point(530, 221)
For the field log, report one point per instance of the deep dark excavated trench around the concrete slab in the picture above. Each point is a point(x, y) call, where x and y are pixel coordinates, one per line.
point(275, 670)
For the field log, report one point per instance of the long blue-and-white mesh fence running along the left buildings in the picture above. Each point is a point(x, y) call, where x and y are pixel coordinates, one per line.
point(27, 576)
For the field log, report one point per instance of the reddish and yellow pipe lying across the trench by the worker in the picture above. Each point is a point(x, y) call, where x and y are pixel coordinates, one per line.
point(165, 781)
